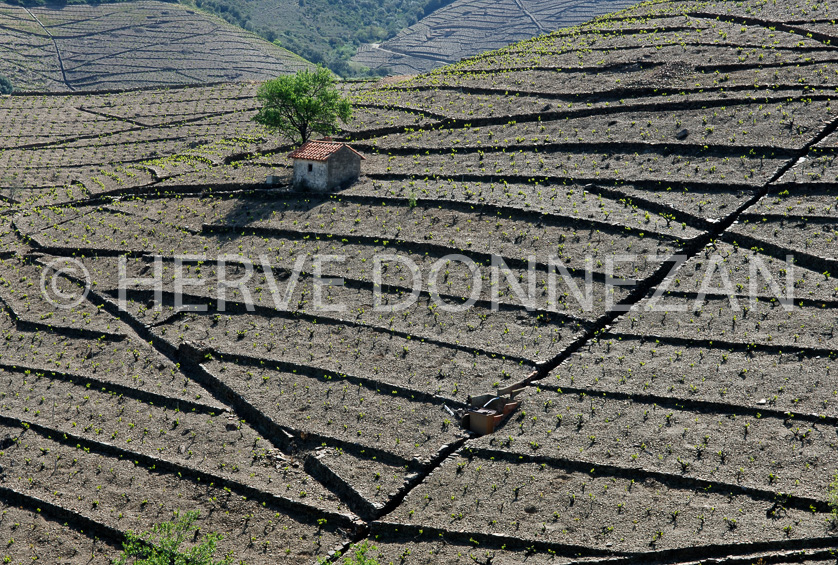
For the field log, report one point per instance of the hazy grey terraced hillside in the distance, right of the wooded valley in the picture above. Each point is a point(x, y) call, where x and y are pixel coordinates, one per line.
point(469, 27)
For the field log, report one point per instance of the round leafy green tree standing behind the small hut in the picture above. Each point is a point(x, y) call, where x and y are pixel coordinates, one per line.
point(298, 105)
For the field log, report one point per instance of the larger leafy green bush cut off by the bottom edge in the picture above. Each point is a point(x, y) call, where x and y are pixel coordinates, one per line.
point(161, 546)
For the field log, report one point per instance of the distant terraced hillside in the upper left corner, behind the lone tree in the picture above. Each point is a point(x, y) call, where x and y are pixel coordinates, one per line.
point(129, 45)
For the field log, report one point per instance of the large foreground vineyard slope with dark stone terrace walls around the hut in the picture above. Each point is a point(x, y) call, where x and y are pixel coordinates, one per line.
point(677, 161)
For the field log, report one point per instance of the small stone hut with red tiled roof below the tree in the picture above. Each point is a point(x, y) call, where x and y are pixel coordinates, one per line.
point(322, 165)
